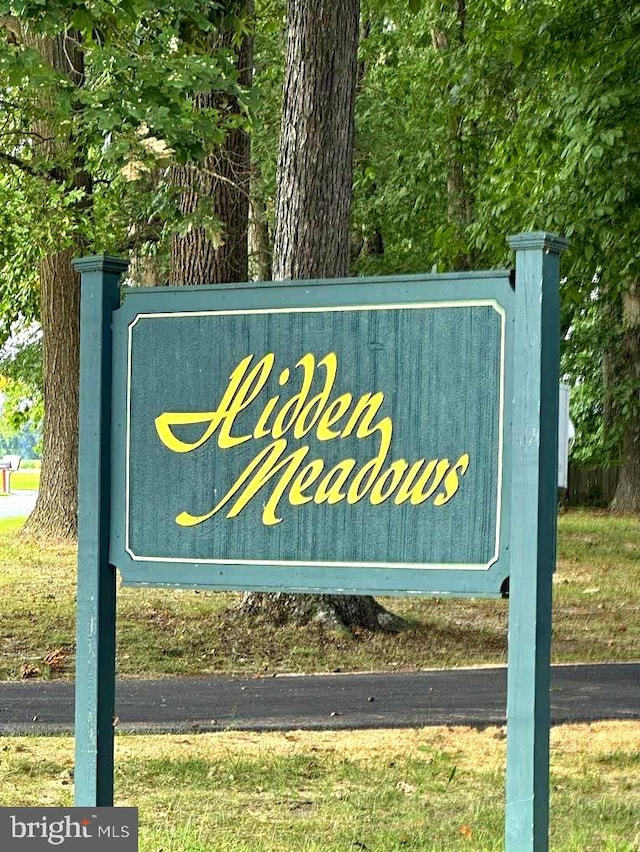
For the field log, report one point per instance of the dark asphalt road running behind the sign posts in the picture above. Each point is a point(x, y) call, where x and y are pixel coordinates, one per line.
point(475, 697)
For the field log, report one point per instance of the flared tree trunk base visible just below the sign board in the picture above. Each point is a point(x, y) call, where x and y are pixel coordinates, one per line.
point(345, 611)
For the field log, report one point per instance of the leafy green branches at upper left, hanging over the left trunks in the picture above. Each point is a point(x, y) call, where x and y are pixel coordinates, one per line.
point(104, 178)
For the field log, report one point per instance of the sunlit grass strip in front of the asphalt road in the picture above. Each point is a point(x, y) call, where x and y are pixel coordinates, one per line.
point(435, 789)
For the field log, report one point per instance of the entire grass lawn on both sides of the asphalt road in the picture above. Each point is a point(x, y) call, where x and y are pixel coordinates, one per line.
point(438, 789)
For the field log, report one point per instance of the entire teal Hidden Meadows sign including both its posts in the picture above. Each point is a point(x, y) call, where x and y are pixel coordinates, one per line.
point(384, 435)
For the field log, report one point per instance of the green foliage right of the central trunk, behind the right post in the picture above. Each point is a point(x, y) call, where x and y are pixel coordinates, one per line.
point(482, 119)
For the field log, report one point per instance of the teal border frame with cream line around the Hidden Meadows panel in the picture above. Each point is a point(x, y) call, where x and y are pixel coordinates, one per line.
point(397, 293)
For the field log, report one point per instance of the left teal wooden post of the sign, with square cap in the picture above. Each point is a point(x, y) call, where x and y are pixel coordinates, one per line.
point(96, 607)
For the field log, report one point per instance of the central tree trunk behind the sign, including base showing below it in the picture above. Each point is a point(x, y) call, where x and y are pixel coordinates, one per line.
point(315, 168)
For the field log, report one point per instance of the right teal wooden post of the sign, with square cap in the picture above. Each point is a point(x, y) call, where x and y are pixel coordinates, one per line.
point(533, 538)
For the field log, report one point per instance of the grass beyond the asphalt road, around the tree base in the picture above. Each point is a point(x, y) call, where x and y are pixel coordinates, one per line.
point(161, 632)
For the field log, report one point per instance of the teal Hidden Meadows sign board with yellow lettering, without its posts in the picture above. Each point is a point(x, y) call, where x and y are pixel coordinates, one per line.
point(328, 437)
